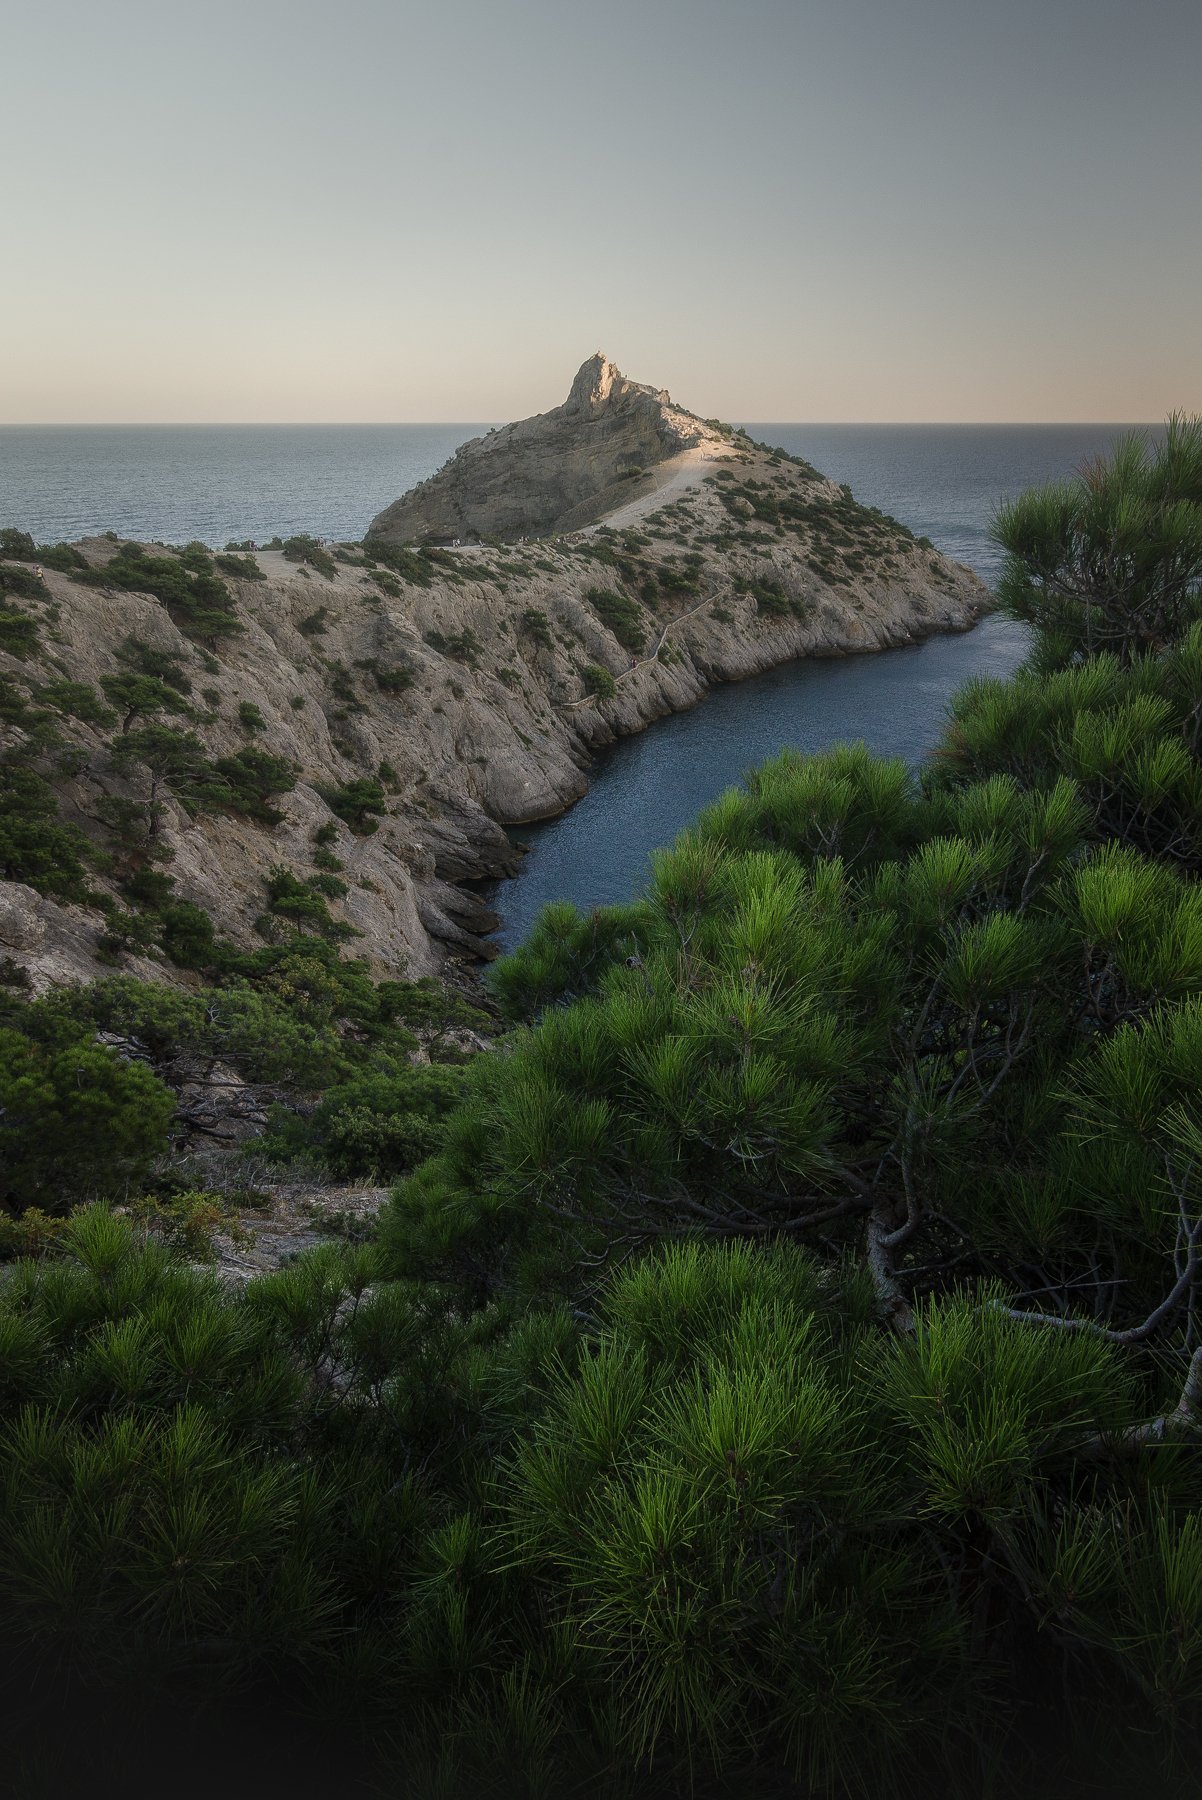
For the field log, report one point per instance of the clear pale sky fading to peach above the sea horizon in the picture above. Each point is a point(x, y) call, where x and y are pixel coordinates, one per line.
point(778, 210)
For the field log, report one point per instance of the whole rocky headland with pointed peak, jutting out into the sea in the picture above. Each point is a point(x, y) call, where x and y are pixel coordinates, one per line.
point(422, 697)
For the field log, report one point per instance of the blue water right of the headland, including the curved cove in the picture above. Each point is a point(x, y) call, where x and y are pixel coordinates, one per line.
point(946, 485)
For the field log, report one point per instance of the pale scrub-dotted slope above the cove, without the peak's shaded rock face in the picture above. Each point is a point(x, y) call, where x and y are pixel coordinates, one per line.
point(474, 687)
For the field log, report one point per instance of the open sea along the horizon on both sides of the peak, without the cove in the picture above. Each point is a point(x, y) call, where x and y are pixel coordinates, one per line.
point(175, 483)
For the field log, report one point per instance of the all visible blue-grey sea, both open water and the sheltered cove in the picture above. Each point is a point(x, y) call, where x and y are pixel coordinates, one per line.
point(228, 483)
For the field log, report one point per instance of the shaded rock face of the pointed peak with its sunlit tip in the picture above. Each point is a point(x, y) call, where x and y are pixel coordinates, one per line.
point(555, 472)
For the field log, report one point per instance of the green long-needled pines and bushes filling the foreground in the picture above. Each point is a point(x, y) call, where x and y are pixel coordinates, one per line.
point(778, 1365)
